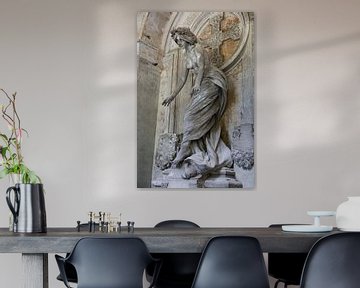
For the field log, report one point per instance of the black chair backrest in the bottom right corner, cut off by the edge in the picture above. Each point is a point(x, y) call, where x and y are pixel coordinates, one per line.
point(333, 262)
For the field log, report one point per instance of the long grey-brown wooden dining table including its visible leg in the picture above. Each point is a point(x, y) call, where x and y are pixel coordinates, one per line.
point(35, 247)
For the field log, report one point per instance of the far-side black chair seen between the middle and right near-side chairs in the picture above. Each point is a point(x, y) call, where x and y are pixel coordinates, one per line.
point(285, 267)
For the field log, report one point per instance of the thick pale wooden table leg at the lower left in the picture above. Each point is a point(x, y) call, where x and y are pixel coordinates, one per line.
point(35, 270)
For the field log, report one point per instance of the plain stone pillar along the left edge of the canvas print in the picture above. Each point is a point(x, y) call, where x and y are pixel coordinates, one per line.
point(149, 68)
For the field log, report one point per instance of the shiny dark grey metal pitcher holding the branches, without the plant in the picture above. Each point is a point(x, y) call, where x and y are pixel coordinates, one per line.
point(27, 204)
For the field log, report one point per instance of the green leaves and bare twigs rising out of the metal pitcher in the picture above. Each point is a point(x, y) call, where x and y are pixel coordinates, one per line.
point(11, 158)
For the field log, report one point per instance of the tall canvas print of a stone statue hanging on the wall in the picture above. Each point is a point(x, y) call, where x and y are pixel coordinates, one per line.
point(195, 100)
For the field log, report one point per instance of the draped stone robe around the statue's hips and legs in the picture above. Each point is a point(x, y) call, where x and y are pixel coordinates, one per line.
point(202, 124)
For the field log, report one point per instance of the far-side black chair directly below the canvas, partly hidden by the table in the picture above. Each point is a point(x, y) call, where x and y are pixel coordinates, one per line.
point(178, 269)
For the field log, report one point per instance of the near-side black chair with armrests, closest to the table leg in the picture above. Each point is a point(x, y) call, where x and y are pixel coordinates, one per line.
point(108, 263)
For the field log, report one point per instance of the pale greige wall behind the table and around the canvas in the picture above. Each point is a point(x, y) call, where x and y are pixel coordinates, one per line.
point(73, 64)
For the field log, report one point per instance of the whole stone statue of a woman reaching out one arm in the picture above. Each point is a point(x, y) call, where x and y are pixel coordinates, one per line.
point(202, 150)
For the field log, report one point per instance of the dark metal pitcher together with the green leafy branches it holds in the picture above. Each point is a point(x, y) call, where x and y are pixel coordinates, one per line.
point(25, 197)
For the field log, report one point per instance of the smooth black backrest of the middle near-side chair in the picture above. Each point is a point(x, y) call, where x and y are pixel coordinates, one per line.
point(232, 262)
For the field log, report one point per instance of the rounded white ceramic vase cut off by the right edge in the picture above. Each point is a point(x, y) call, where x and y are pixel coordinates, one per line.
point(348, 214)
